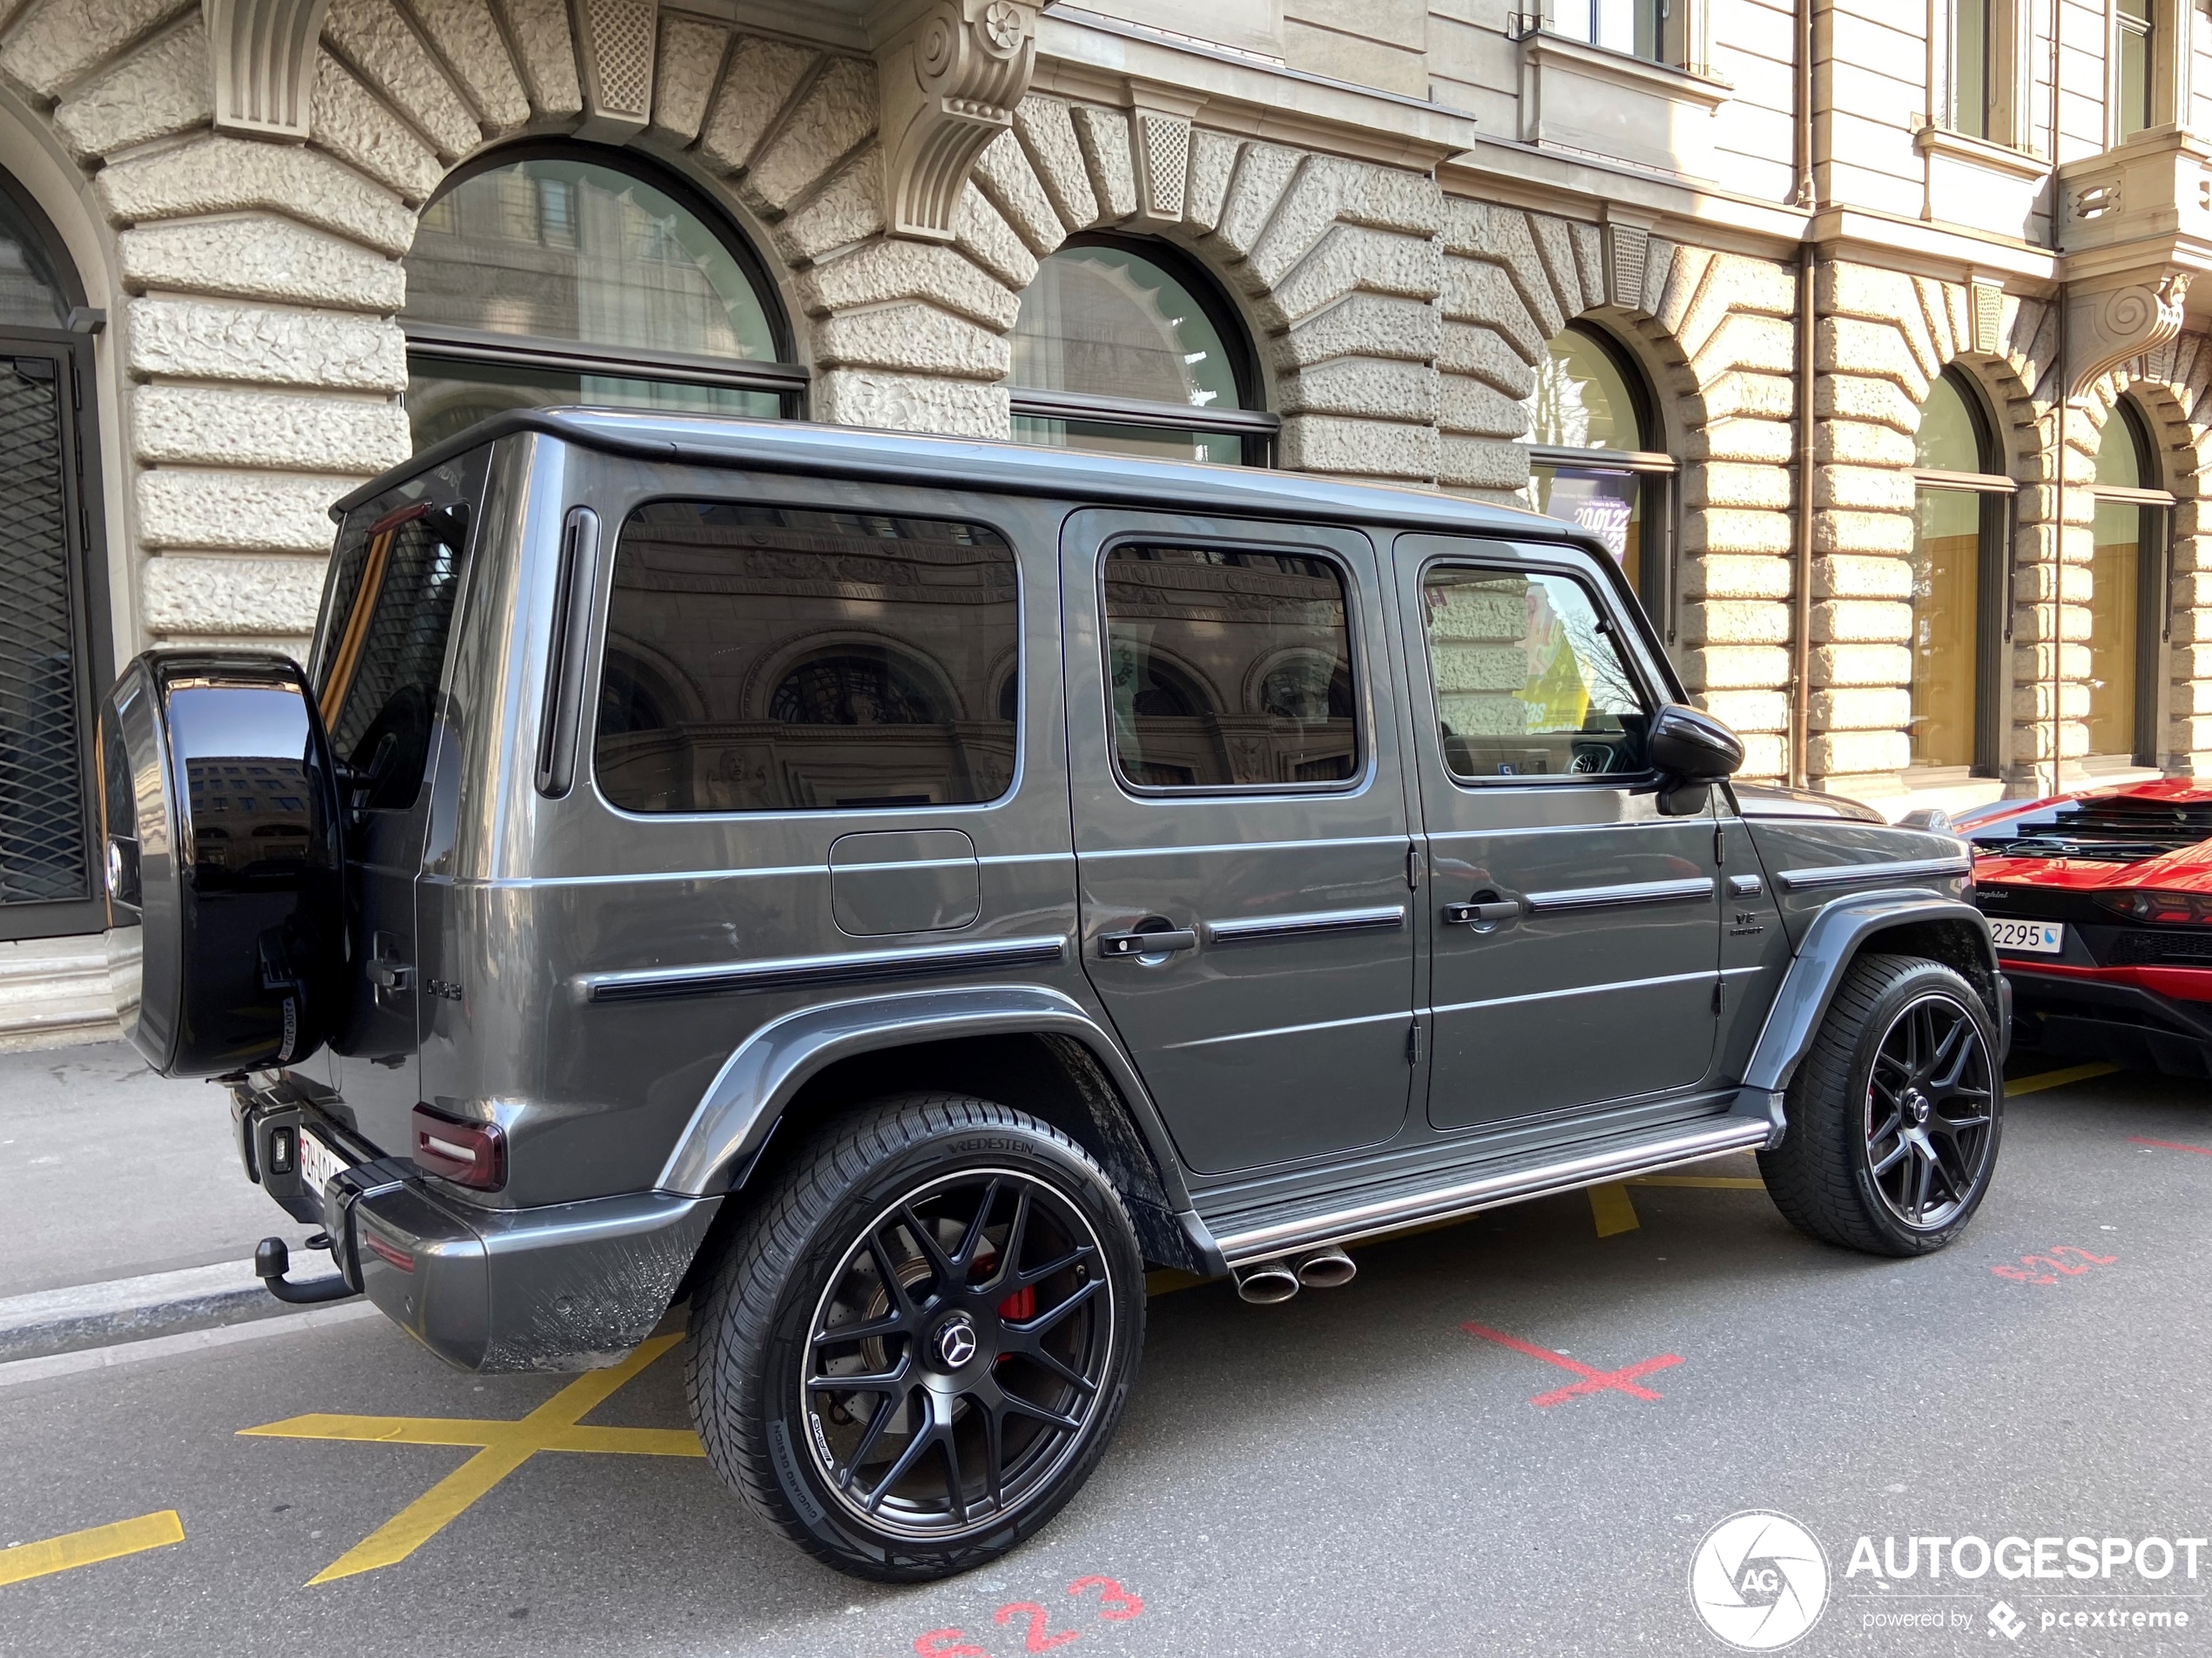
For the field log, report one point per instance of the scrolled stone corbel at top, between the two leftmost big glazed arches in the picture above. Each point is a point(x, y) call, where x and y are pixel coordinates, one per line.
point(950, 87)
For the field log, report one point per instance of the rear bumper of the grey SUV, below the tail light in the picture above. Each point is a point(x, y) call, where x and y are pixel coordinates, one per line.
point(565, 1288)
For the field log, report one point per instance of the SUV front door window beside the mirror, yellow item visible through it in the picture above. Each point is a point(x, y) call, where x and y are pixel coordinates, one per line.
point(1530, 678)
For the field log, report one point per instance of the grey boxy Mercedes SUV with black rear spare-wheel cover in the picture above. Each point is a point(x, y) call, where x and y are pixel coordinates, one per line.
point(886, 894)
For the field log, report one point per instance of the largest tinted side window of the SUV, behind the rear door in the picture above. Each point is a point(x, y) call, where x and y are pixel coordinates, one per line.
point(771, 660)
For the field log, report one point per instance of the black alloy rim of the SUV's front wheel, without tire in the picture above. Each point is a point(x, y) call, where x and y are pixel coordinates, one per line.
point(1930, 1122)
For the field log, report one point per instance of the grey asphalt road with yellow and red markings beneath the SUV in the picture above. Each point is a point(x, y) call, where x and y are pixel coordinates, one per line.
point(1350, 1473)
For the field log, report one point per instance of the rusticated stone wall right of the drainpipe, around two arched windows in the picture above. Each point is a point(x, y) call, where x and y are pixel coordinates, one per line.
point(1884, 342)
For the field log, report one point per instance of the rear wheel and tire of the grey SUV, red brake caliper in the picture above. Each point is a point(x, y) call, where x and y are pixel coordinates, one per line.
point(974, 1286)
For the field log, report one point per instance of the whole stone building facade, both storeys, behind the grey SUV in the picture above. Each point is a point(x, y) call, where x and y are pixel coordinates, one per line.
point(1788, 227)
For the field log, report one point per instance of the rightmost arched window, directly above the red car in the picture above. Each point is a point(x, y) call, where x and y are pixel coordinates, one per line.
point(2127, 594)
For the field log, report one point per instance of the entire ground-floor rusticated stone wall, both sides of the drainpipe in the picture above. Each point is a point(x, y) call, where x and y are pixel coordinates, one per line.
point(1399, 328)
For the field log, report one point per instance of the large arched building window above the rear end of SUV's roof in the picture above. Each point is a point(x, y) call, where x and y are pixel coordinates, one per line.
point(570, 275)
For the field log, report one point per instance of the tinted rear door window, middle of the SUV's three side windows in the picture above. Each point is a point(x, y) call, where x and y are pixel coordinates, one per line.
point(1229, 669)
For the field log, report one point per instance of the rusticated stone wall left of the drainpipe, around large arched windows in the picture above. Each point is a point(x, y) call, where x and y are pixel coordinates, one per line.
point(1399, 328)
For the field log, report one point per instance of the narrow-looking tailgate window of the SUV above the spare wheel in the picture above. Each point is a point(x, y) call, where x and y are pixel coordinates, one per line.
point(384, 644)
